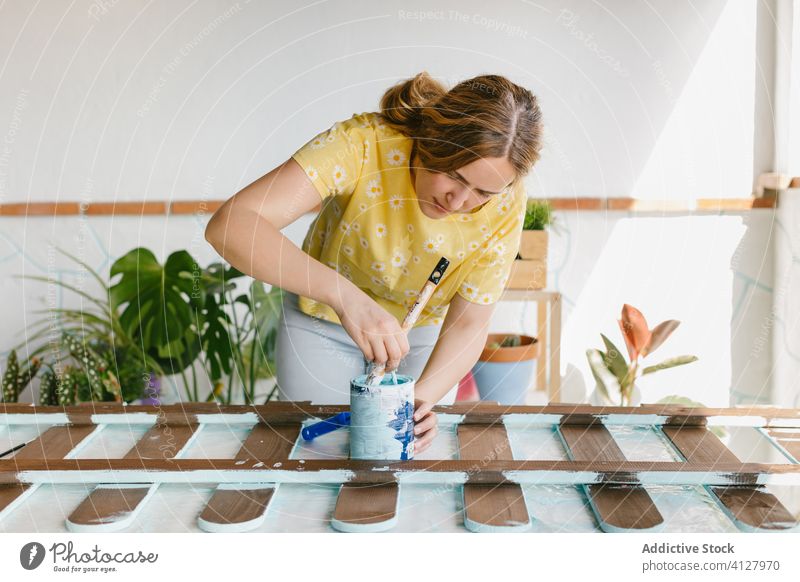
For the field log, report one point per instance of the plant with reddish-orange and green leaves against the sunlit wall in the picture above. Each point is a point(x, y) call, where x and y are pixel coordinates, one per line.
point(616, 377)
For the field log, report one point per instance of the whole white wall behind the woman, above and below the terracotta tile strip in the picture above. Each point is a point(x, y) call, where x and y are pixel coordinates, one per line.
point(104, 100)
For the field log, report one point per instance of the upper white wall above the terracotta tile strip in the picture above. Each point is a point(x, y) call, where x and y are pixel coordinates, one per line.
point(180, 99)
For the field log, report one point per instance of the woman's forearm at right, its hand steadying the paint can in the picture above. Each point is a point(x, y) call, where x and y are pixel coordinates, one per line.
point(455, 353)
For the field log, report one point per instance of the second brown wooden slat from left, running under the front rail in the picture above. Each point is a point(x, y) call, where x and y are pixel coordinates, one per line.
point(114, 507)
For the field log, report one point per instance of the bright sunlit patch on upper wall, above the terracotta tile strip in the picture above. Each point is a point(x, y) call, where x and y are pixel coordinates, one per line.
point(714, 108)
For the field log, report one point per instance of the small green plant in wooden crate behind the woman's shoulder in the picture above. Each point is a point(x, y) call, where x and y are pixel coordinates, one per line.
point(529, 270)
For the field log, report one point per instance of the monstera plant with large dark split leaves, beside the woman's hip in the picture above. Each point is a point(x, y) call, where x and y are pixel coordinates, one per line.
point(198, 318)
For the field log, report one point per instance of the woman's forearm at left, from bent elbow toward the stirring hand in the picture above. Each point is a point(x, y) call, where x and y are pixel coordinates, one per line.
point(252, 244)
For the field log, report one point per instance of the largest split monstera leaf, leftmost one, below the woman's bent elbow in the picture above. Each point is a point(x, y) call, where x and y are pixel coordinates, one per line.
point(159, 304)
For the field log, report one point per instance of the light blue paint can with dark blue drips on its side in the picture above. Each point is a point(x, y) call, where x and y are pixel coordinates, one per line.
point(382, 418)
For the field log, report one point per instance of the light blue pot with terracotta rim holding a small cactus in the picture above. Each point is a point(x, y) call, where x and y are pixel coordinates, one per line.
point(505, 368)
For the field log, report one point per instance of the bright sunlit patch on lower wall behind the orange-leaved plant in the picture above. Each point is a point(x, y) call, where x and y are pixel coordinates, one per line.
point(676, 268)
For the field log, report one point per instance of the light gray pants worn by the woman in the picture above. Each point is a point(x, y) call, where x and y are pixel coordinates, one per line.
point(316, 358)
